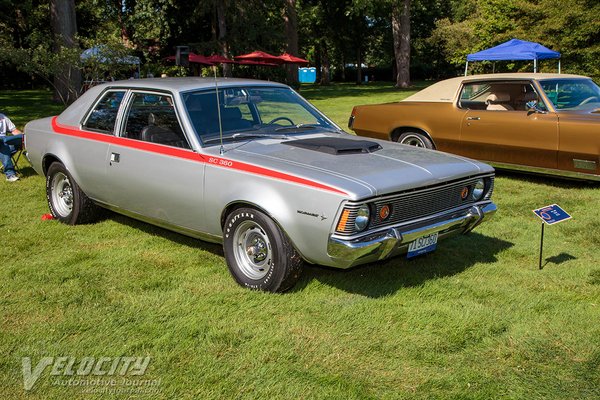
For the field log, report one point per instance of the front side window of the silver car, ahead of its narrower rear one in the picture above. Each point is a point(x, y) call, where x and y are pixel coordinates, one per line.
point(152, 118)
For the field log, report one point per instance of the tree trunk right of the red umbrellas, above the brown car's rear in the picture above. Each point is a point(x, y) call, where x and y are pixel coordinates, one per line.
point(401, 33)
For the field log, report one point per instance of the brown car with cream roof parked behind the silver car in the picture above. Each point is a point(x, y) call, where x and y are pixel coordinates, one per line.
point(542, 123)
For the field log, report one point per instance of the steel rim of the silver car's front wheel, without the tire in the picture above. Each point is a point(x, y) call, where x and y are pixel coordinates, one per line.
point(252, 250)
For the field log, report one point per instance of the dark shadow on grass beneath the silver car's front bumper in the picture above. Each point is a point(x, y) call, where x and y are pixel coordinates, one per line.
point(387, 277)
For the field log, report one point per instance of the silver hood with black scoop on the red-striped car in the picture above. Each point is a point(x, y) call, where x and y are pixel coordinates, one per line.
point(385, 168)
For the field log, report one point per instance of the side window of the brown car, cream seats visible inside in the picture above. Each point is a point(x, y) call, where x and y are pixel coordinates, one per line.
point(497, 96)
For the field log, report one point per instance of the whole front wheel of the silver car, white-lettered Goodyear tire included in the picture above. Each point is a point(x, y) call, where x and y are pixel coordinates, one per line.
point(259, 255)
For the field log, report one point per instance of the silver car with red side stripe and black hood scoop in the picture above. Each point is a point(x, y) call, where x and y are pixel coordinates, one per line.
point(254, 166)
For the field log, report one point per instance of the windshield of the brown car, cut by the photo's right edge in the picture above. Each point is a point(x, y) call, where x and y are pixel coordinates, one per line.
point(572, 94)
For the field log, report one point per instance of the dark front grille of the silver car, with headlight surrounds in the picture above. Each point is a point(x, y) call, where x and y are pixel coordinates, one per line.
point(418, 204)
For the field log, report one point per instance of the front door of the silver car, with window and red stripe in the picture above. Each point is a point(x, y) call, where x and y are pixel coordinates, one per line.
point(152, 170)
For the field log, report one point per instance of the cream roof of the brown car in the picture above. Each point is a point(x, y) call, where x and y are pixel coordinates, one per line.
point(445, 91)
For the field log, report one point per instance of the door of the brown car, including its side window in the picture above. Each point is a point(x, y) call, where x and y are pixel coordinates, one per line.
point(498, 127)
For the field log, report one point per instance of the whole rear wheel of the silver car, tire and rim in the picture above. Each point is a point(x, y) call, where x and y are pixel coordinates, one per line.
point(66, 200)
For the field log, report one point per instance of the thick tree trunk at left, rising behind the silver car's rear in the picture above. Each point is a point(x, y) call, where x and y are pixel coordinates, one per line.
point(67, 79)
